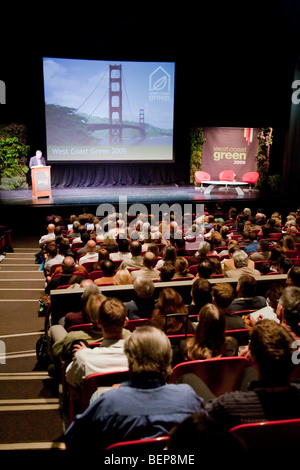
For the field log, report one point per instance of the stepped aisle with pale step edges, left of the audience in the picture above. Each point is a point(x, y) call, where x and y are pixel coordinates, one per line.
point(29, 403)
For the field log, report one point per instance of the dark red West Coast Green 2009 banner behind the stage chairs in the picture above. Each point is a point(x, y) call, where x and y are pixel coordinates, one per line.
point(229, 148)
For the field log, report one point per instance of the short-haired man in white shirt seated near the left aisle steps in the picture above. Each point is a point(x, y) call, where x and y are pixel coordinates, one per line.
point(109, 356)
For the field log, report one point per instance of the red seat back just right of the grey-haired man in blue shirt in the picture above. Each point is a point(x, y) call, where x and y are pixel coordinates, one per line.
point(221, 375)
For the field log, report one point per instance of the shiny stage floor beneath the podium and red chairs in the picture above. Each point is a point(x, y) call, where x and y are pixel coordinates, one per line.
point(133, 194)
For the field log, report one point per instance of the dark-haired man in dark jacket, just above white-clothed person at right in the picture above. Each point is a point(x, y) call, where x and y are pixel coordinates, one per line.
point(246, 298)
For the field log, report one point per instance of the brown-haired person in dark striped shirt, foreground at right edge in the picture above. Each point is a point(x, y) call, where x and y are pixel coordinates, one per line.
point(272, 397)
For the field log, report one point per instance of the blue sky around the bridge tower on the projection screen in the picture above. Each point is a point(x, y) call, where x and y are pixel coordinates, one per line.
point(83, 85)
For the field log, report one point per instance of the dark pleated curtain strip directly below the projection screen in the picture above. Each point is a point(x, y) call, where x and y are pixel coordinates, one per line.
point(95, 174)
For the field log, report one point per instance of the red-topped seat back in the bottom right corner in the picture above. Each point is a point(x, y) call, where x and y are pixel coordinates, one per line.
point(269, 435)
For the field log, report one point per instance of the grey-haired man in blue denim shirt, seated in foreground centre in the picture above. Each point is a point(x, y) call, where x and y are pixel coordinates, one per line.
point(142, 407)
